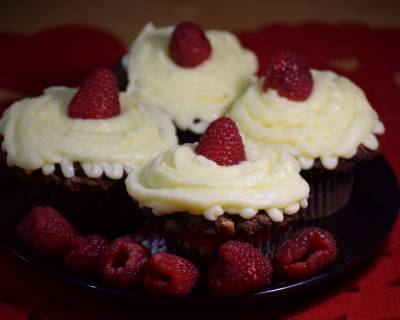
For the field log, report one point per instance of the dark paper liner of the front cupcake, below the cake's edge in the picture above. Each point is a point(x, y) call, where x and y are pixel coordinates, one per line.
point(202, 249)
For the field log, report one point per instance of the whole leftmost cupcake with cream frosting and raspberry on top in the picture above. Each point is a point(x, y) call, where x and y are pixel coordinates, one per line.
point(72, 149)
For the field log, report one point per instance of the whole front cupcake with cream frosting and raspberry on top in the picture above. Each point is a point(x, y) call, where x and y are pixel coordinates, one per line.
point(202, 195)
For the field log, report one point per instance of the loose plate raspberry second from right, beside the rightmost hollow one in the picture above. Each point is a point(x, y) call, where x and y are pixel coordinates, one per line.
point(240, 268)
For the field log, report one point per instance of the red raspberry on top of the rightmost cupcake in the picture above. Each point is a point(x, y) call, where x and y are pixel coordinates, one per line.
point(290, 76)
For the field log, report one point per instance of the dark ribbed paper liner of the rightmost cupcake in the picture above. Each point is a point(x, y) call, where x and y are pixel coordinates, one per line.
point(329, 192)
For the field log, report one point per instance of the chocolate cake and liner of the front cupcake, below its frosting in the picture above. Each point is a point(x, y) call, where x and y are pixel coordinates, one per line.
point(198, 239)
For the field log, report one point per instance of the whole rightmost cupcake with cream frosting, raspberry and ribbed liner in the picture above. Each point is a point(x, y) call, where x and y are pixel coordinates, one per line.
point(321, 118)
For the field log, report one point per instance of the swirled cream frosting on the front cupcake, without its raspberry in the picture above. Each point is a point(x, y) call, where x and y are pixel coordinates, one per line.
point(179, 180)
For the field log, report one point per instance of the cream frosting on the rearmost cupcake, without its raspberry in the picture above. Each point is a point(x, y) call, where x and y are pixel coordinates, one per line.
point(192, 97)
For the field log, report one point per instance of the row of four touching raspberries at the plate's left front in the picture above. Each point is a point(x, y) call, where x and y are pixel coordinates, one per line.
point(123, 263)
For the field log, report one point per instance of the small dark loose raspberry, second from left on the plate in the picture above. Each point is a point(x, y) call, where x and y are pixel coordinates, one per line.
point(84, 253)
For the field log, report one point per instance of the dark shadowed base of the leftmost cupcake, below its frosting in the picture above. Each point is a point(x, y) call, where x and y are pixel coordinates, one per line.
point(93, 205)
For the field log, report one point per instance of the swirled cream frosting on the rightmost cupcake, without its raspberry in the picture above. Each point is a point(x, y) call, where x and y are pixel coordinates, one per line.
point(330, 124)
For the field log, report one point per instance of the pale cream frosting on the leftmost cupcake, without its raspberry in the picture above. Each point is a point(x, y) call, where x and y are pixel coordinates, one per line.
point(38, 134)
